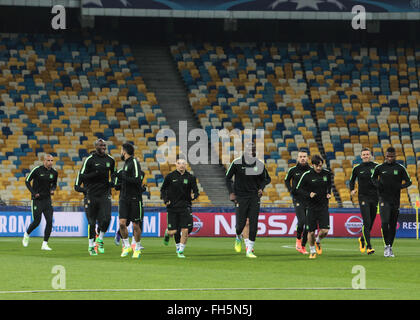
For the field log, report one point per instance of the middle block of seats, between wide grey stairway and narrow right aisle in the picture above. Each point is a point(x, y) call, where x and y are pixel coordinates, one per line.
point(243, 86)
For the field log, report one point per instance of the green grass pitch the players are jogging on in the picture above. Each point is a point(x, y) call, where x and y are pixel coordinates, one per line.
point(210, 263)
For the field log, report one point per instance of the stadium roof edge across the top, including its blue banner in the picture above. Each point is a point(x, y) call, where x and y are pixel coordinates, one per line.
point(239, 9)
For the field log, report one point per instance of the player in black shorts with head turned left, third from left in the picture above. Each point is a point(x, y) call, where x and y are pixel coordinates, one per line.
point(131, 202)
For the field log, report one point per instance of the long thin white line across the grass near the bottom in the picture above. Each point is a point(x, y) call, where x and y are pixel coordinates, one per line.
point(177, 289)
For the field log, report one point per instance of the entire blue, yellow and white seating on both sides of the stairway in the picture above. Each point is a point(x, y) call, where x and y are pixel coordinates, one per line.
point(58, 96)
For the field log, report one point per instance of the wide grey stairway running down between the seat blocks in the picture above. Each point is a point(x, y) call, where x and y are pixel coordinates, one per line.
point(161, 77)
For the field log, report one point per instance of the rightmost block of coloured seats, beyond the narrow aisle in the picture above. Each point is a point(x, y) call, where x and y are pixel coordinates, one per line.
point(365, 97)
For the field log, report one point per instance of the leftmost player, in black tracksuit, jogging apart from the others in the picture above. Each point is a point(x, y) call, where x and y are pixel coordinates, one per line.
point(44, 184)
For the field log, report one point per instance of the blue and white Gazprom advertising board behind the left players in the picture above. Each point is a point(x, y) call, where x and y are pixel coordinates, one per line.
point(68, 224)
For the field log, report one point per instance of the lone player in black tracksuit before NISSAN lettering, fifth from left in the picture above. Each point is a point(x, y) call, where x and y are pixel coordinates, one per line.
point(251, 177)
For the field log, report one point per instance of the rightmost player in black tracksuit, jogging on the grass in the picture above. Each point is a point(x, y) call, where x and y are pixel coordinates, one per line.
point(388, 177)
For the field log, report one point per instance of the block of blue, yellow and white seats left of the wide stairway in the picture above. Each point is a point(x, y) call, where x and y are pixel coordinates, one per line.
point(58, 96)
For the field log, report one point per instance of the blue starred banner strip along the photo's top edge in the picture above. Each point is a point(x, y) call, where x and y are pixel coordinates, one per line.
point(260, 5)
